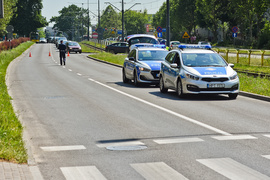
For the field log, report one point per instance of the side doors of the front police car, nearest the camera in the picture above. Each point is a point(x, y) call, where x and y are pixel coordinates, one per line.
point(167, 70)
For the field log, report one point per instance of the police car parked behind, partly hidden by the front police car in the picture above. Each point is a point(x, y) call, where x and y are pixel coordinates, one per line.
point(142, 64)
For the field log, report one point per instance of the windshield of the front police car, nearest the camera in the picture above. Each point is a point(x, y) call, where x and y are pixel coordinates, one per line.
point(203, 60)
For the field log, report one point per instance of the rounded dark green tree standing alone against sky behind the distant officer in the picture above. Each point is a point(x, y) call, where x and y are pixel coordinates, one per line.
point(72, 21)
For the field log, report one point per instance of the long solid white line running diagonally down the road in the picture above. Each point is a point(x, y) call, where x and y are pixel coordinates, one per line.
point(165, 110)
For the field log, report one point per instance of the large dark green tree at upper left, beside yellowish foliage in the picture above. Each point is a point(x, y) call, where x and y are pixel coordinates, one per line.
point(28, 17)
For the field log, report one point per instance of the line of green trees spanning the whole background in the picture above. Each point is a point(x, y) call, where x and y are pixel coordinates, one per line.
point(218, 16)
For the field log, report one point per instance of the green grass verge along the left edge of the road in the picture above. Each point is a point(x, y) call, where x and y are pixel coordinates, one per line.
point(11, 143)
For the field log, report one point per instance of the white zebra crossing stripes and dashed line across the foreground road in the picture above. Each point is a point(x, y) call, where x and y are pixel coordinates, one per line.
point(224, 166)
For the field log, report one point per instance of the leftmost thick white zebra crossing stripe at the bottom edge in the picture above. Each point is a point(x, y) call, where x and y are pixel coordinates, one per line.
point(82, 173)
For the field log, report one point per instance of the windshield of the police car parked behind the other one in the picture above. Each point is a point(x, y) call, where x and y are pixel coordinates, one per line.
point(152, 55)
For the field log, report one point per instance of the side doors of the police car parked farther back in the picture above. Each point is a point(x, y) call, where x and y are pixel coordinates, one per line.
point(130, 64)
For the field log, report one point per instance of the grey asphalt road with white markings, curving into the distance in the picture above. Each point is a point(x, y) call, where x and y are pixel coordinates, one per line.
point(82, 122)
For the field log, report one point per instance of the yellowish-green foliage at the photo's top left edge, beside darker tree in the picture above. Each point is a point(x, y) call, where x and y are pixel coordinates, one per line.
point(9, 8)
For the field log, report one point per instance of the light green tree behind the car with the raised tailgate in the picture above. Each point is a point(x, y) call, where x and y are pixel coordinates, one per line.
point(135, 22)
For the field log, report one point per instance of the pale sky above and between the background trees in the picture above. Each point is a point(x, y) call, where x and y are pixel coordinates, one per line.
point(52, 7)
